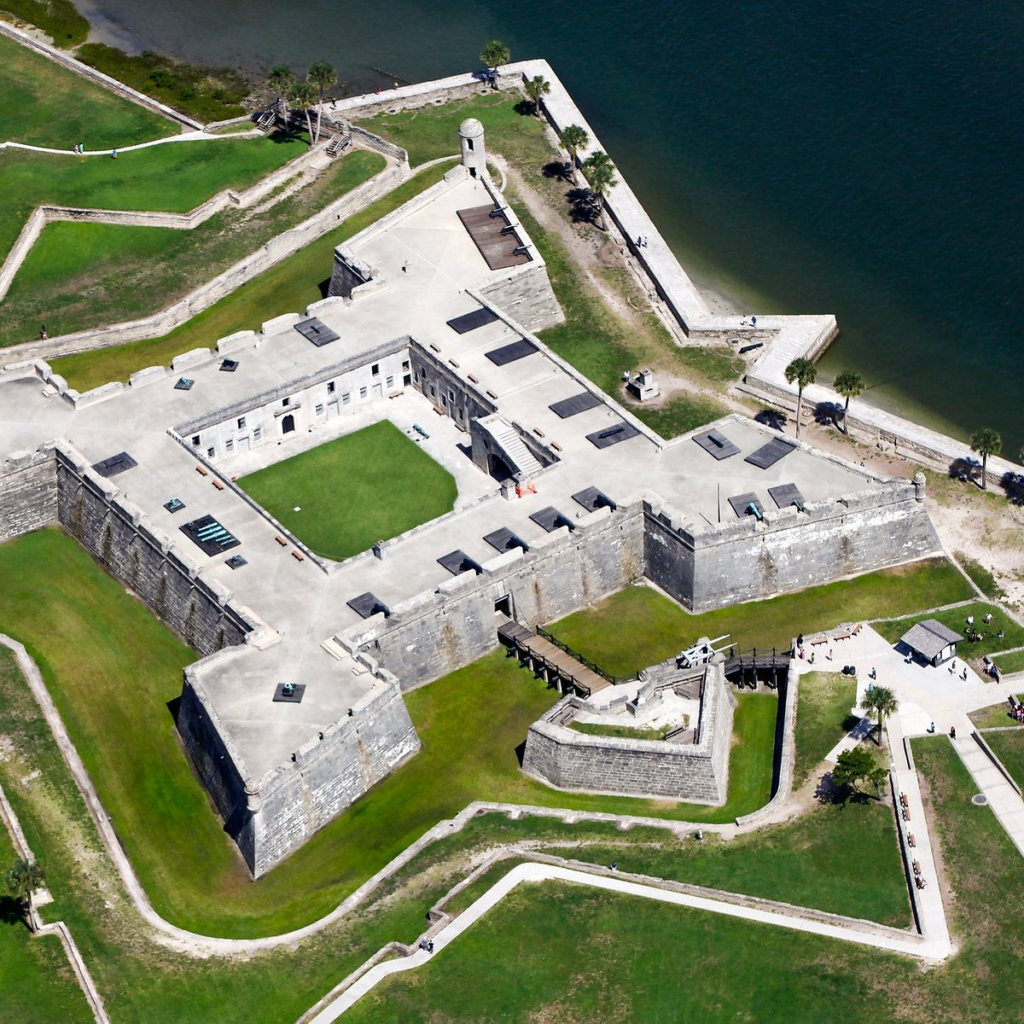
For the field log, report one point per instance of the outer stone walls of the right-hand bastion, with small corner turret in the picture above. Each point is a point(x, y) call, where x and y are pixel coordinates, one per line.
point(790, 550)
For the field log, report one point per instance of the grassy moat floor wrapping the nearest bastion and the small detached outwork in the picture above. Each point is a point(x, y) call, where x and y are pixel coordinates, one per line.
point(113, 669)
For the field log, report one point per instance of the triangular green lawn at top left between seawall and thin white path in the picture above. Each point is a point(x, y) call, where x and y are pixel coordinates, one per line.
point(44, 104)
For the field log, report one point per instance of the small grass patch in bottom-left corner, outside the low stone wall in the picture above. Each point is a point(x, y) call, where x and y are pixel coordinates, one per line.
point(37, 984)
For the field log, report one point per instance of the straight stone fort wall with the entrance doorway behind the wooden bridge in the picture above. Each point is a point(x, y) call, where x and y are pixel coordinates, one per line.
point(437, 633)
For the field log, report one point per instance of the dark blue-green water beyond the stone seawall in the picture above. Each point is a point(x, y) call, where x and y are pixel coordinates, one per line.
point(861, 159)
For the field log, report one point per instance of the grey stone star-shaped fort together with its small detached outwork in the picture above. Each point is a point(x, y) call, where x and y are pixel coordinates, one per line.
point(565, 497)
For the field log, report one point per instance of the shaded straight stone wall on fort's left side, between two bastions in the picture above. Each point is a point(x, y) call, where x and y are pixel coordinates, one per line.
point(113, 531)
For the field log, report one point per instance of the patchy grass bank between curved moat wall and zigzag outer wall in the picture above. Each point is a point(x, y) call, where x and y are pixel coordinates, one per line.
point(141, 982)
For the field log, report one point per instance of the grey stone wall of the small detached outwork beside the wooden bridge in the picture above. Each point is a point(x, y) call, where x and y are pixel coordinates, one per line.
point(698, 773)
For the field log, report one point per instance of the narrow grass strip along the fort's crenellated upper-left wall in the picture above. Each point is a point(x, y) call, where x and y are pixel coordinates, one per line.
point(289, 287)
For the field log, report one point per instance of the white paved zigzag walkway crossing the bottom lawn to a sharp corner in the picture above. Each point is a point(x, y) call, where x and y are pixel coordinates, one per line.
point(935, 948)
